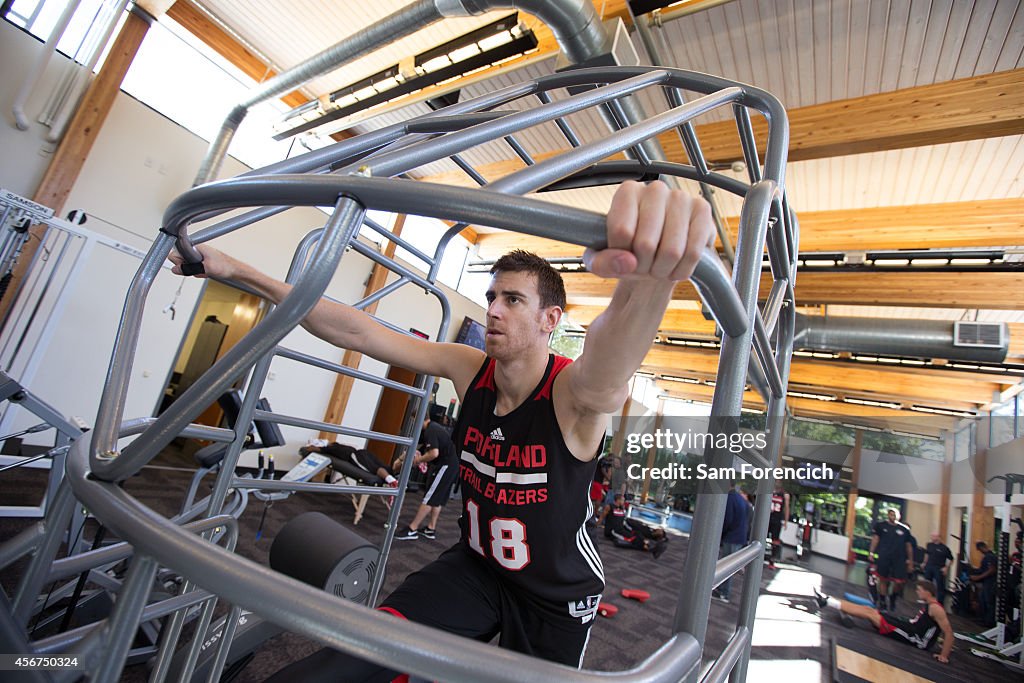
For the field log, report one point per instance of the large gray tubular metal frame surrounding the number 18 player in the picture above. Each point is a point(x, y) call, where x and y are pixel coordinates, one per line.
point(354, 178)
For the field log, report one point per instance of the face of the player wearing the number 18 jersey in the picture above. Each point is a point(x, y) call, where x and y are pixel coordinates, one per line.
point(517, 323)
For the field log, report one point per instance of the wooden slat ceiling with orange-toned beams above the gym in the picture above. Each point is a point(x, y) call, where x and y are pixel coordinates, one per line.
point(908, 133)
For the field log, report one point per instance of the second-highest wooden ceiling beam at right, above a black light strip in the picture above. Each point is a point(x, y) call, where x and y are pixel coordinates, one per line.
point(952, 226)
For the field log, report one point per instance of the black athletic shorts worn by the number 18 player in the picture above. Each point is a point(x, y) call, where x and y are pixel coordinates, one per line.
point(462, 595)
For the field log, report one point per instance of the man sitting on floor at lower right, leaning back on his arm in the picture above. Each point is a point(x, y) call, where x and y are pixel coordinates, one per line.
point(920, 631)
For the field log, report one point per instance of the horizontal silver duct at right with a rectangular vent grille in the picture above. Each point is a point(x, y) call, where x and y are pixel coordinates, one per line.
point(887, 336)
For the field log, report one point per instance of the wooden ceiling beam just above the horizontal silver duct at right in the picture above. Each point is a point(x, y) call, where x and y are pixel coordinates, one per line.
point(919, 289)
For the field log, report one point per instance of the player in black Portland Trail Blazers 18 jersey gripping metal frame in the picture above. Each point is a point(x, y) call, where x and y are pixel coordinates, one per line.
point(531, 426)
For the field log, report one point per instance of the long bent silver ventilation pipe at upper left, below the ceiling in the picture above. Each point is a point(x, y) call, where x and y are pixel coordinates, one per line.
point(574, 23)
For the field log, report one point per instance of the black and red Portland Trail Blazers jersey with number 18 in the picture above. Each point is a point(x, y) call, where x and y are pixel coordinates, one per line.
point(526, 497)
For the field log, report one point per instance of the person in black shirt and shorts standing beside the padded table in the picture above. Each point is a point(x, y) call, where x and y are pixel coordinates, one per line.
point(437, 450)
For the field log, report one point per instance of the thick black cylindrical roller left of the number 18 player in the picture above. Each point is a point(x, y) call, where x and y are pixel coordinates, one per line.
point(321, 552)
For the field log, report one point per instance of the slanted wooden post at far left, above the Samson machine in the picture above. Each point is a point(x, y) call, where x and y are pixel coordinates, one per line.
point(82, 133)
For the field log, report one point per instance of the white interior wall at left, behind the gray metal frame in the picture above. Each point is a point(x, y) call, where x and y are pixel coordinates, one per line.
point(140, 163)
